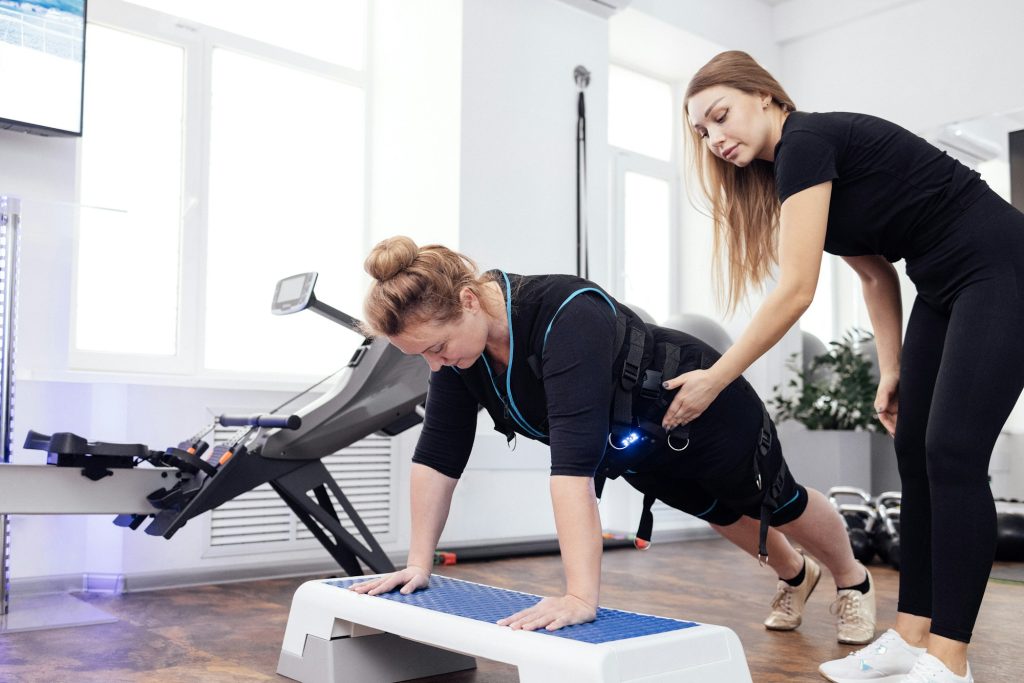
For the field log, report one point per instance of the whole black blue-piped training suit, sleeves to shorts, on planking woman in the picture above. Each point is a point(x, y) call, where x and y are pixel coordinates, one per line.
point(585, 377)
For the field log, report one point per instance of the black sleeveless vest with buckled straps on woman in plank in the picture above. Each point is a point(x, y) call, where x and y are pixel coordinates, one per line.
point(517, 402)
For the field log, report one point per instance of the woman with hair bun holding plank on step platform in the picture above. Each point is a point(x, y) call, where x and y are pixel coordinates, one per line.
point(556, 359)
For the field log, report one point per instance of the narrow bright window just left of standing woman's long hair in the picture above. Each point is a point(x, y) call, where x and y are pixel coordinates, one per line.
point(645, 188)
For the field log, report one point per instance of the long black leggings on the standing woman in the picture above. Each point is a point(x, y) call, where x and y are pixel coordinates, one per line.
point(961, 374)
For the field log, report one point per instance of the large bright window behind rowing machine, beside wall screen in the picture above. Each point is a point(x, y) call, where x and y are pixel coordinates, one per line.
point(224, 150)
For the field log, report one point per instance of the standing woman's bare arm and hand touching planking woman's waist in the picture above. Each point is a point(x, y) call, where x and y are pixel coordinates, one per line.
point(802, 234)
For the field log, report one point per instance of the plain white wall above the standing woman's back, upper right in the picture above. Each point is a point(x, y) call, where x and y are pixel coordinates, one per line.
point(920, 64)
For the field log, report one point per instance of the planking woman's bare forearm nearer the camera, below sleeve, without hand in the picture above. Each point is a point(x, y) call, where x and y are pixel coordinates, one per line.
point(579, 526)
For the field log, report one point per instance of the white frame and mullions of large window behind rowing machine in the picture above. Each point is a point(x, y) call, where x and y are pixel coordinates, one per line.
point(199, 41)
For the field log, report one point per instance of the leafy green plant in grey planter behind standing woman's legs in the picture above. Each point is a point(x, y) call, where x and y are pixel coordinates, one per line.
point(830, 434)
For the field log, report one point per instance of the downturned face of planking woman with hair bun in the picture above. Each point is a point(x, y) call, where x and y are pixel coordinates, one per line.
point(457, 344)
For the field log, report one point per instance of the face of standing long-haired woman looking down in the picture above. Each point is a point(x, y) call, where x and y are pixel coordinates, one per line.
point(734, 124)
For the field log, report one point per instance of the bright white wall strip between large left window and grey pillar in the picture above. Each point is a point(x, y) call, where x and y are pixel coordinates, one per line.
point(416, 90)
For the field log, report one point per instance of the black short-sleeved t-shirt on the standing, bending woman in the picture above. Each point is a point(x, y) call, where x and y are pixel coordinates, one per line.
point(893, 193)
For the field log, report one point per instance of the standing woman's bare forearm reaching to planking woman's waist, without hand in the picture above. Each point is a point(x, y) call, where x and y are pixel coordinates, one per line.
point(778, 314)
